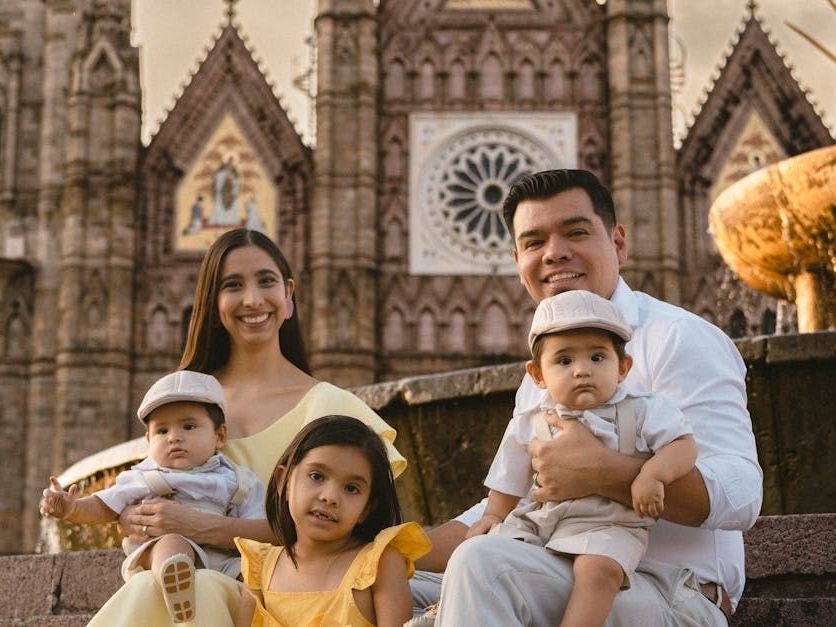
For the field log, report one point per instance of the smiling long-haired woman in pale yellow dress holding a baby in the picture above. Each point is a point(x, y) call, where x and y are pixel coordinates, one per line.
point(245, 331)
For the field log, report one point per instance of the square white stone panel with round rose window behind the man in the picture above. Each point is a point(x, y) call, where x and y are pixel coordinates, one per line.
point(461, 169)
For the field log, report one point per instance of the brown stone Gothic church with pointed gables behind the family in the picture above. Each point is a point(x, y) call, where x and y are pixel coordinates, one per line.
point(426, 112)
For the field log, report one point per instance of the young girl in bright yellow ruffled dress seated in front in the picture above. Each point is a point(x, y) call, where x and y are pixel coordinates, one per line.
point(344, 557)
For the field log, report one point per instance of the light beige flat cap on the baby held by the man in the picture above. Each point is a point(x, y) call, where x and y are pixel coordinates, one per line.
point(577, 309)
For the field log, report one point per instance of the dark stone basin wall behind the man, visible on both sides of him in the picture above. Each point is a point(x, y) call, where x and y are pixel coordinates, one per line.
point(450, 424)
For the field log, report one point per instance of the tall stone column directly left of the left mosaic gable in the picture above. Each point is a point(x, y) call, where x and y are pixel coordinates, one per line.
point(96, 291)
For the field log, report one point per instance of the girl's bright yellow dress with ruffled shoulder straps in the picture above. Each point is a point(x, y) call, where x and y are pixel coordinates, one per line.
point(326, 608)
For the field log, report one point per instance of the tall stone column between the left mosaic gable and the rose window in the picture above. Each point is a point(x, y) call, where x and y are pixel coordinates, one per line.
point(343, 238)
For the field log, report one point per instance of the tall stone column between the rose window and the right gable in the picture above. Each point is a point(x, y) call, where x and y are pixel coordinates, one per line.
point(643, 182)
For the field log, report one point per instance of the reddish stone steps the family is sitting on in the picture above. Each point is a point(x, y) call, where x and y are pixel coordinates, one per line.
point(790, 569)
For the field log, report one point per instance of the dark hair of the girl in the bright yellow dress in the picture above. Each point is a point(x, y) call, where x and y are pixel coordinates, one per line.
point(383, 509)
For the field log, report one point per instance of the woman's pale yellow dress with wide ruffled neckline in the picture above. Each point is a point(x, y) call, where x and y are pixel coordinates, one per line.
point(139, 603)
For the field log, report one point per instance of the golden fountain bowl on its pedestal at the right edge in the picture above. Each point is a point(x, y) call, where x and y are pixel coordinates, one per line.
point(776, 228)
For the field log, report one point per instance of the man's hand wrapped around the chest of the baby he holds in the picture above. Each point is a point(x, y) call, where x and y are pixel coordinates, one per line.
point(567, 465)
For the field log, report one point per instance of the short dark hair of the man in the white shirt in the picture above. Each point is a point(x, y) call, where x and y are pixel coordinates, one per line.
point(548, 183)
